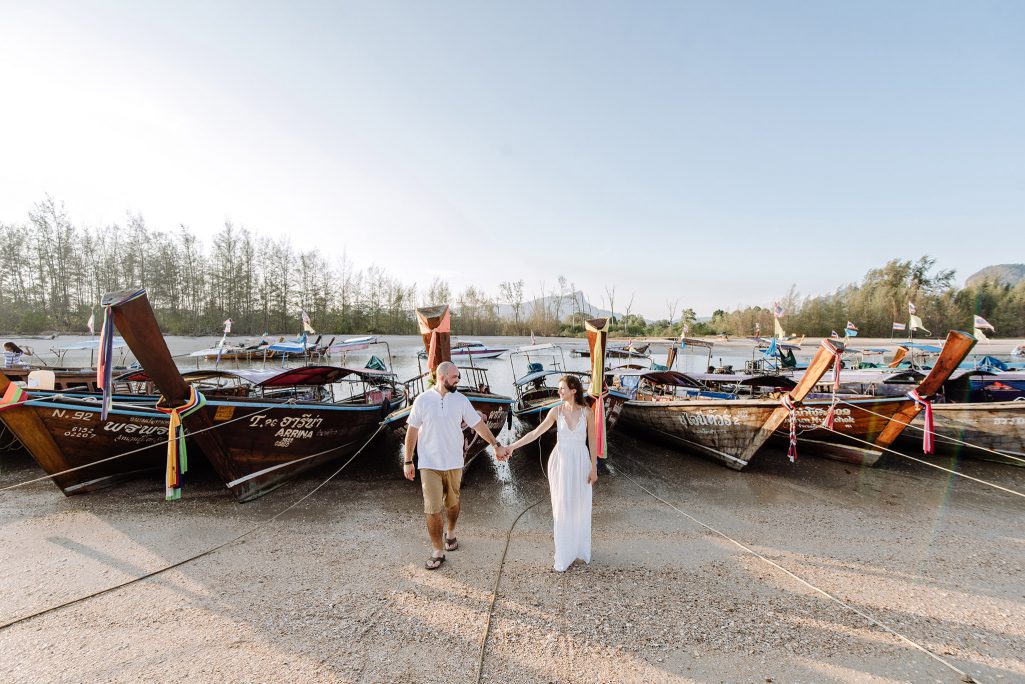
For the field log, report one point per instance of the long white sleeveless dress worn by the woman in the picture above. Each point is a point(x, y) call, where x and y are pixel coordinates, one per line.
point(569, 466)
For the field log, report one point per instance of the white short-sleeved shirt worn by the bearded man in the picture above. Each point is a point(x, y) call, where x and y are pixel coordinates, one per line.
point(440, 421)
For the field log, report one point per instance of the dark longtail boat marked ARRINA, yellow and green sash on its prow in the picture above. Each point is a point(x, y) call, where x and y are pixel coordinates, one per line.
point(254, 444)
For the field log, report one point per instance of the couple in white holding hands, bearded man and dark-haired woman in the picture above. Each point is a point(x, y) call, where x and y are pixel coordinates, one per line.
point(435, 431)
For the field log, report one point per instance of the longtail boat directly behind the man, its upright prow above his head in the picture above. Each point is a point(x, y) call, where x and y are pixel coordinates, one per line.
point(435, 326)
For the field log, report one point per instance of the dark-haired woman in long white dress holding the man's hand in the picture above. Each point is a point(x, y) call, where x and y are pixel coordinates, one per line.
point(572, 471)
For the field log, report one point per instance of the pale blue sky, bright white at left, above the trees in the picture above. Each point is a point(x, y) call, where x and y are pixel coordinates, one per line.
point(708, 153)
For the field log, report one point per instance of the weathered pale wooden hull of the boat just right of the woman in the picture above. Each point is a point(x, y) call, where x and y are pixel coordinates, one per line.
point(729, 432)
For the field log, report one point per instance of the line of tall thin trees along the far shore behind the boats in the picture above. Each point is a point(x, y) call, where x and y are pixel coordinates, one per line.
point(56, 274)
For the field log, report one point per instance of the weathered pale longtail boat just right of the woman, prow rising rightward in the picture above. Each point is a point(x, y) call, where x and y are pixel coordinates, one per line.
point(730, 431)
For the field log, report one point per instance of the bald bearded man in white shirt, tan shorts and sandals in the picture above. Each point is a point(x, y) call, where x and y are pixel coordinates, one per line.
point(435, 430)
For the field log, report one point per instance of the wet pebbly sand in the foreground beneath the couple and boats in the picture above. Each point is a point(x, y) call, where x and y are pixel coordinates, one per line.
point(336, 590)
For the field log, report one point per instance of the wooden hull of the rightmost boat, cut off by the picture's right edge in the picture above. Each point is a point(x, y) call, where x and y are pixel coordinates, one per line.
point(997, 426)
